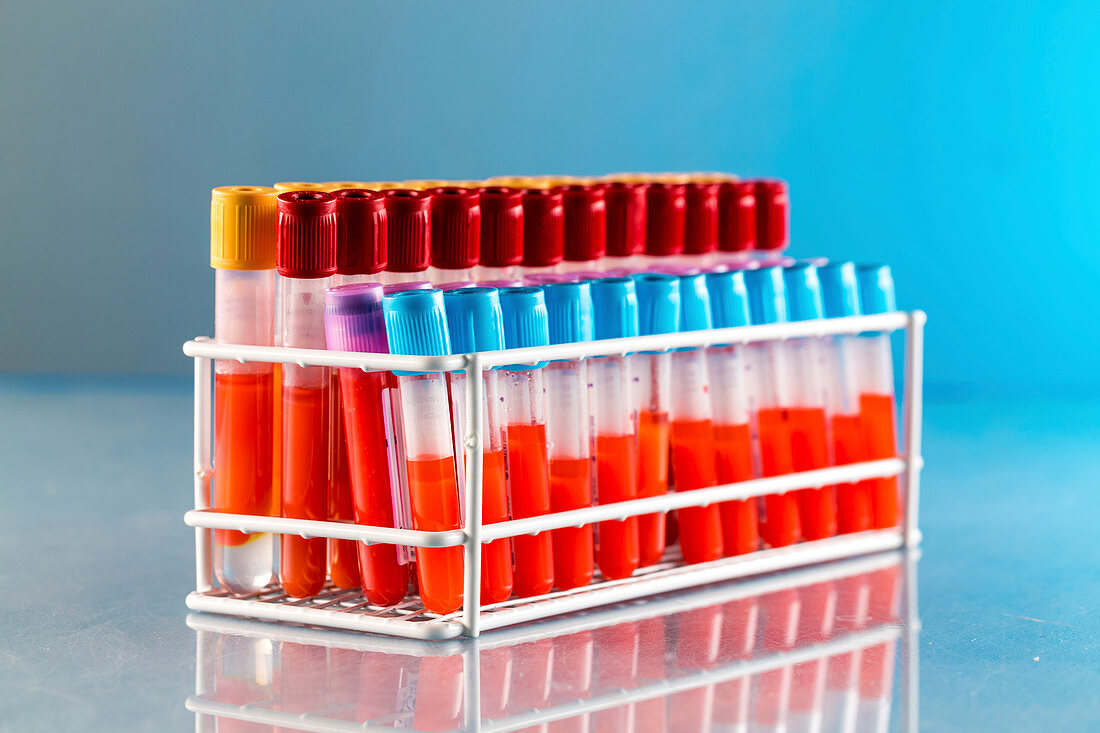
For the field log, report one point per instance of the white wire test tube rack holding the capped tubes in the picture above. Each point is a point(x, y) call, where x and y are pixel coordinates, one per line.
point(348, 610)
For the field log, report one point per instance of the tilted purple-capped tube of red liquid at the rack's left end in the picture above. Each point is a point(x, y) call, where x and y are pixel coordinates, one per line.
point(355, 322)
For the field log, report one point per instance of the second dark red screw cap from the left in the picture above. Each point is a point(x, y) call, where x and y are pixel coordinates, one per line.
point(361, 232)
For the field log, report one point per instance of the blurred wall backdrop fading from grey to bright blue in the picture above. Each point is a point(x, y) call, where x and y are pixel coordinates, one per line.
point(956, 144)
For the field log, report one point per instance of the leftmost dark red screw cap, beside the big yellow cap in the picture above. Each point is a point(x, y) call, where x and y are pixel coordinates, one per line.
point(306, 239)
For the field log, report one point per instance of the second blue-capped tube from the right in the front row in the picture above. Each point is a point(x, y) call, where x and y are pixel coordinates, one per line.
point(841, 297)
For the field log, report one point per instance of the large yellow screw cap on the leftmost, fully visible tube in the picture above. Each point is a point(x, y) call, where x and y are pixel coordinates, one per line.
point(243, 228)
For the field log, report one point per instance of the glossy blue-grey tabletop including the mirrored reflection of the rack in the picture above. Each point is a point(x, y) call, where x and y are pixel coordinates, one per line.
point(95, 476)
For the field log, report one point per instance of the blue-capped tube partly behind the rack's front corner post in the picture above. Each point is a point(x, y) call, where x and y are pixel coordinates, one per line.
point(474, 325)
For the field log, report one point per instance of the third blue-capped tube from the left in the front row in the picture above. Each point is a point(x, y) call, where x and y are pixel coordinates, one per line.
point(526, 451)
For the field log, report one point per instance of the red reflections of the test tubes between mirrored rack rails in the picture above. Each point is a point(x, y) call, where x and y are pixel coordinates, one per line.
point(852, 691)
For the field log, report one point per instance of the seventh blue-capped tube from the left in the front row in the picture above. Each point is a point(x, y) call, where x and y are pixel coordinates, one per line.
point(695, 457)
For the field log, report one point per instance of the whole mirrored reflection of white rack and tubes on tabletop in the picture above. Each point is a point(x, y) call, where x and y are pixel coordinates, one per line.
point(678, 662)
